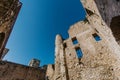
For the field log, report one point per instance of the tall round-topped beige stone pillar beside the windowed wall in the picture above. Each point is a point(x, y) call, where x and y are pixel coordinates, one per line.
point(60, 72)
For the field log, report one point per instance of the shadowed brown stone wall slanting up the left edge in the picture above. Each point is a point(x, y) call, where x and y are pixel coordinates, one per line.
point(8, 13)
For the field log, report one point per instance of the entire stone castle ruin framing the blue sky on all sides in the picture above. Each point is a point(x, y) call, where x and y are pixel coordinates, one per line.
point(92, 51)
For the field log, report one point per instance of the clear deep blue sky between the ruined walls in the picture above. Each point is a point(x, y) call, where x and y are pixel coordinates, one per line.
point(34, 32)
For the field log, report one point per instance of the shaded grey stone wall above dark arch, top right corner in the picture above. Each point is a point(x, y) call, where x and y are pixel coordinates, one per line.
point(108, 9)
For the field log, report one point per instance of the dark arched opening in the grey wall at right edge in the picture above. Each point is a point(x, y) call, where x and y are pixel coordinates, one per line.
point(115, 27)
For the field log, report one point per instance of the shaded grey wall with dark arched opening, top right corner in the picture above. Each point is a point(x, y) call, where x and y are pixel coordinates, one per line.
point(111, 15)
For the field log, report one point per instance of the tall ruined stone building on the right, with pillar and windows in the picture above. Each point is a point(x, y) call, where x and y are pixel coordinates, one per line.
point(91, 52)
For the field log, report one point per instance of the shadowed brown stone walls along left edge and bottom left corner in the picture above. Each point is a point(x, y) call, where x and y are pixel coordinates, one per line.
point(9, 10)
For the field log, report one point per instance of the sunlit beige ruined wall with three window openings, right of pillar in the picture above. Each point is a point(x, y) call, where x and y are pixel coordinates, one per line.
point(99, 59)
